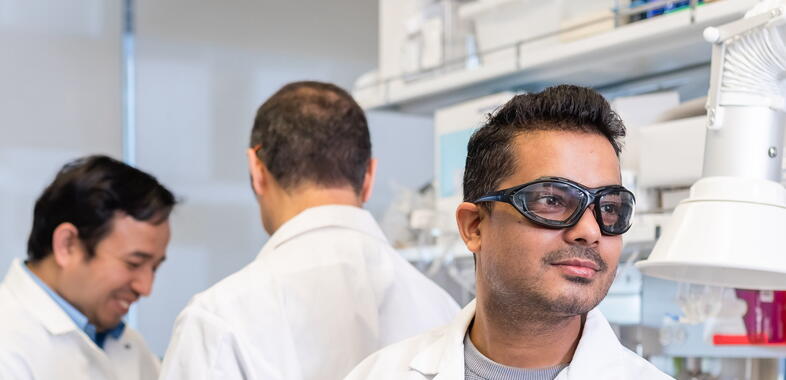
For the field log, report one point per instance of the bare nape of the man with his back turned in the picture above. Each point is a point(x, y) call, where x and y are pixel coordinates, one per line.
point(292, 203)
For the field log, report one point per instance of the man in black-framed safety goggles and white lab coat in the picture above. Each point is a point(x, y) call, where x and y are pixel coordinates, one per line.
point(543, 212)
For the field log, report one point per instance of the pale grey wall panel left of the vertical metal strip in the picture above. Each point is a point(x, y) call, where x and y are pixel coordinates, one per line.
point(60, 97)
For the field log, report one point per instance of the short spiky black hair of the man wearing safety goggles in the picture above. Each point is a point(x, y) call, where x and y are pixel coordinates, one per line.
point(490, 157)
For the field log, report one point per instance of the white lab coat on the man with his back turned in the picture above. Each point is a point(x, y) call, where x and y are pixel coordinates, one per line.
point(326, 291)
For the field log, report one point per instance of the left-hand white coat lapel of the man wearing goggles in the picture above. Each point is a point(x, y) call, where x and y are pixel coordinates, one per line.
point(444, 358)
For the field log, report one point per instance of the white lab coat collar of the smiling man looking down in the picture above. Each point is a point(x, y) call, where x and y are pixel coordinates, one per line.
point(34, 299)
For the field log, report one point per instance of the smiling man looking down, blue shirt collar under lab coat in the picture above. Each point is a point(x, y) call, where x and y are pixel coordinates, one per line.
point(100, 231)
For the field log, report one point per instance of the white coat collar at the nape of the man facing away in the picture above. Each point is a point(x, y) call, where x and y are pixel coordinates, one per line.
point(326, 216)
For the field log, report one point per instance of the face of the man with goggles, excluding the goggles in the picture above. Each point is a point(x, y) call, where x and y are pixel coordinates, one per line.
point(523, 266)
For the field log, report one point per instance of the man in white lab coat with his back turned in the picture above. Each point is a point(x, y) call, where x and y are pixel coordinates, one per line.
point(327, 289)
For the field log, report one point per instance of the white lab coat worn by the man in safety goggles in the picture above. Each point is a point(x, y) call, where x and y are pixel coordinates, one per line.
point(439, 355)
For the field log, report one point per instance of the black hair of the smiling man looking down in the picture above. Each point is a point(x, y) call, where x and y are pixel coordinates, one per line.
point(87, 193)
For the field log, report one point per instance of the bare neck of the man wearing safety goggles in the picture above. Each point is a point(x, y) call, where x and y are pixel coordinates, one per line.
point(530, 344)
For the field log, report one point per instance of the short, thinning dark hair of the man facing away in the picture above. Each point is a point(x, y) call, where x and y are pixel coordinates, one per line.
point(312, 132)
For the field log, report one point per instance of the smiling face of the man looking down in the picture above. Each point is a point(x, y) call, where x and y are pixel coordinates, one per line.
point(122, 270)
